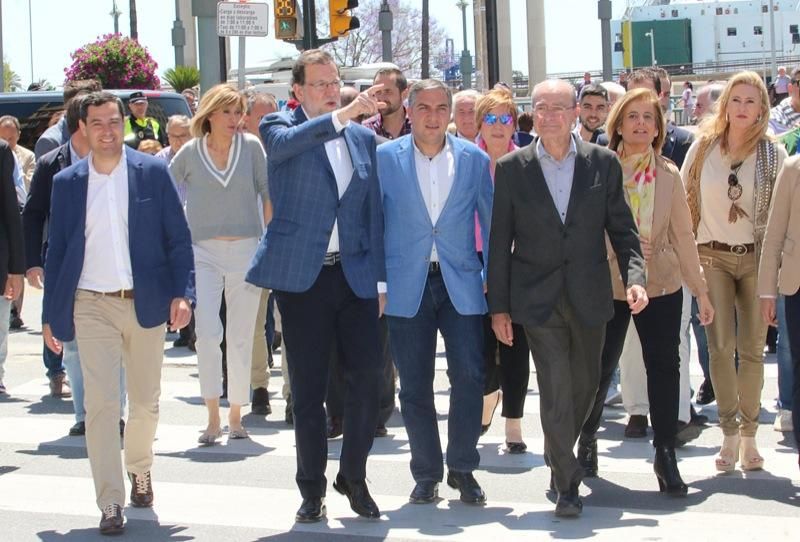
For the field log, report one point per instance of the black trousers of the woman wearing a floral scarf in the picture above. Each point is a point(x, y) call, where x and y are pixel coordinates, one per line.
point(658, 327)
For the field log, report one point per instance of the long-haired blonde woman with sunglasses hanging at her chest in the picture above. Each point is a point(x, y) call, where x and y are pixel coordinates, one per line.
point(729, 173)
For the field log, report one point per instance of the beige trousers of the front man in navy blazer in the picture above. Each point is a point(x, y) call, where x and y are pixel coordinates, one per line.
point(110, 337)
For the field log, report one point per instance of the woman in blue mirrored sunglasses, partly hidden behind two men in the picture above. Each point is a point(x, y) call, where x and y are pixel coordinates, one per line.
point(507, 367)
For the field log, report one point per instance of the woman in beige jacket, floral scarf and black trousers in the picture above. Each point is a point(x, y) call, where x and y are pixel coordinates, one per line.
point(655, 193)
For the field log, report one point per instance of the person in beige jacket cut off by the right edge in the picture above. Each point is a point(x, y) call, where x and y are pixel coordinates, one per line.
point(779, 270)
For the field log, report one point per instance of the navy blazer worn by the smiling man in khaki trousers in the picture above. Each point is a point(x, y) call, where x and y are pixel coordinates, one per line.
point(158, 235)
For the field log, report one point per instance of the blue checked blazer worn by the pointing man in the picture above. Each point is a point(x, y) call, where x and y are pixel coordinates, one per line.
point(305, 201)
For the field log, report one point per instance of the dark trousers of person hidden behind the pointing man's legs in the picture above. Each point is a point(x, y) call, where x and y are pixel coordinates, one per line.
point(334, 402)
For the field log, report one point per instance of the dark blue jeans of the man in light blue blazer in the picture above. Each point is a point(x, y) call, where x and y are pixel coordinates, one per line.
point(413, 342)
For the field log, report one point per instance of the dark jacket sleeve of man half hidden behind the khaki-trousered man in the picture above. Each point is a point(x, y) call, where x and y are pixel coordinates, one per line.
point(37, 207)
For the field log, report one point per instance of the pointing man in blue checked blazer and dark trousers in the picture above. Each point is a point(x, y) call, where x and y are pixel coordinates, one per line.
point(323, 257)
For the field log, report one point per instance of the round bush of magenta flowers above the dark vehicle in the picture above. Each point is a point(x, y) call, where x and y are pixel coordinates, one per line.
point(117, 62)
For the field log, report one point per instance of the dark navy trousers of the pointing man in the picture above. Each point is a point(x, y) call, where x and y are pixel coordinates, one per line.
point(313, 321)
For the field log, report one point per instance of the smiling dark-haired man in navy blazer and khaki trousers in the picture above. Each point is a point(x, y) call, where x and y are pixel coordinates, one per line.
point(119, 266)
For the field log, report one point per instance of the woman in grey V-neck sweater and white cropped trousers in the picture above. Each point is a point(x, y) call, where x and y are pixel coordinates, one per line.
point(224, 172)
